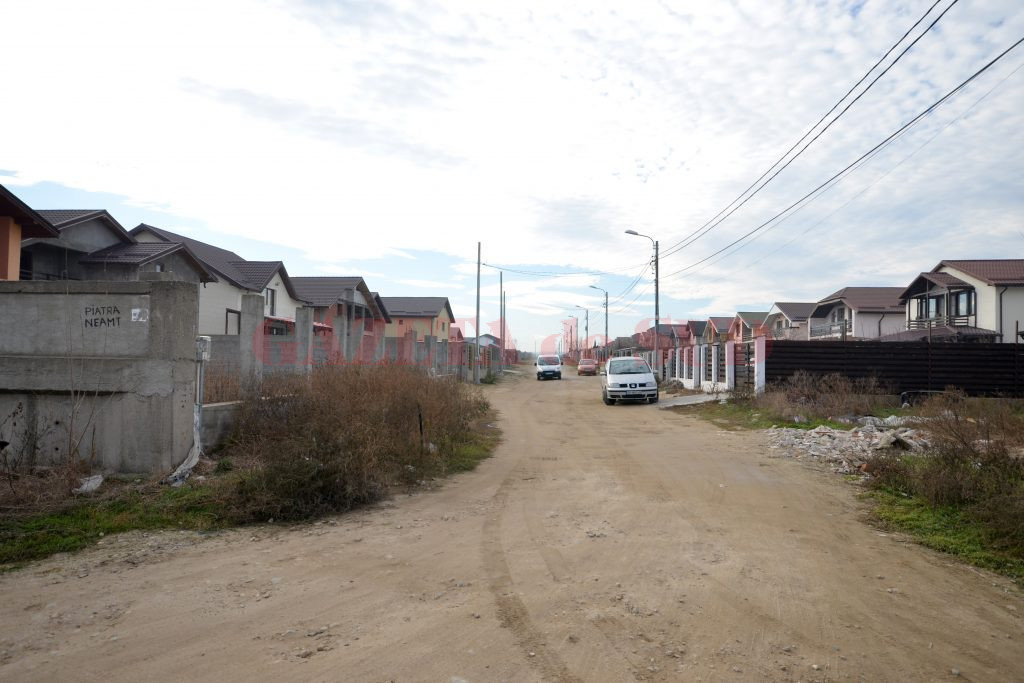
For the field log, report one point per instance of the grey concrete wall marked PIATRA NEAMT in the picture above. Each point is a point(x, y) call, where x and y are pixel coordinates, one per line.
point(103, 372)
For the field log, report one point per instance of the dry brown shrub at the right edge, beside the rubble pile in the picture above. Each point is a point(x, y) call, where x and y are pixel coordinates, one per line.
point(974, 462)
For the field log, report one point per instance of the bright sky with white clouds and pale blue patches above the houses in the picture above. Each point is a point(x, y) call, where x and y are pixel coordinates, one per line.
point(388, 139)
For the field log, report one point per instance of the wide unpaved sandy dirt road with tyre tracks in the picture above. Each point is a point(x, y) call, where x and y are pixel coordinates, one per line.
point(600, 544)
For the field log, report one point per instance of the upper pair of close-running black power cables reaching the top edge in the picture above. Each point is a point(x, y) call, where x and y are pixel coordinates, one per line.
point(747, 195)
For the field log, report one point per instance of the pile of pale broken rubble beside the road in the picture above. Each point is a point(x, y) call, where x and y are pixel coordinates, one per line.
point(848, 451)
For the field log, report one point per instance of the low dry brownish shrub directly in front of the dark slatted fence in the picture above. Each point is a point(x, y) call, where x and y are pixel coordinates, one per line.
point(824, 397)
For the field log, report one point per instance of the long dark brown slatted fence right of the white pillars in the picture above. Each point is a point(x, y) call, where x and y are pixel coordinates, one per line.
point(977, 369)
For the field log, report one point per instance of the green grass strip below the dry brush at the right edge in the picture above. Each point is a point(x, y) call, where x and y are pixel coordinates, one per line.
point(947, 529)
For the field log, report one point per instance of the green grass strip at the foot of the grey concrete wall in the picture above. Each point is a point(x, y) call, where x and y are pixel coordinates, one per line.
point(82, 524)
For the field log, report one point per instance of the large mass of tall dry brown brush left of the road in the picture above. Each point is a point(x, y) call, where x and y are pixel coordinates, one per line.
point(344, 436)
